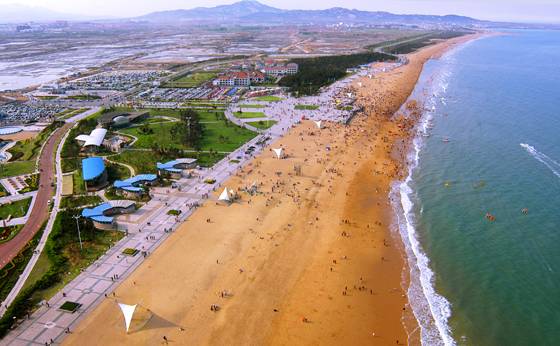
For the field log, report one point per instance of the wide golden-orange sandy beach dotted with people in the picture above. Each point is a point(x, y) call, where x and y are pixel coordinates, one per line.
point(310, 260)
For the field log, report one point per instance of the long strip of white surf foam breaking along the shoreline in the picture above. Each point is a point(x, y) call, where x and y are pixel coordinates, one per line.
point(431, 310)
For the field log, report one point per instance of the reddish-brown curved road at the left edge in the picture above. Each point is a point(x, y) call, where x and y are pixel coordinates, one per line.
point(40, 211)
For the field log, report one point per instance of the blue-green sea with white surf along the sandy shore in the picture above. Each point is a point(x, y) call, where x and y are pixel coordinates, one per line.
point(480, 212)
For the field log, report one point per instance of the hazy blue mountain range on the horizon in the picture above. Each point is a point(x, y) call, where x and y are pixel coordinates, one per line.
point(253, 12)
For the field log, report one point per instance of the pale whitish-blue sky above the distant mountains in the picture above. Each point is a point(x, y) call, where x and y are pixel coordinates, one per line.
point(501, 10)
